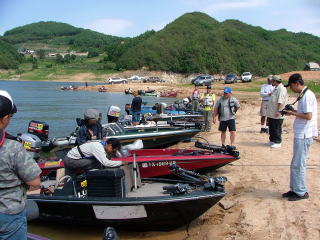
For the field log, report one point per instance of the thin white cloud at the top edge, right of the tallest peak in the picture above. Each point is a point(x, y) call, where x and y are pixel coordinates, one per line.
point(227, 5)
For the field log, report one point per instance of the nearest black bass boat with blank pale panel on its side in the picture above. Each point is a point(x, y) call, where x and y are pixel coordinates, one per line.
point(108, 197)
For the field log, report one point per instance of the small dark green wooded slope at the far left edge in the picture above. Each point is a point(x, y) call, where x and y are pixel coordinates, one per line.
point(9, 58)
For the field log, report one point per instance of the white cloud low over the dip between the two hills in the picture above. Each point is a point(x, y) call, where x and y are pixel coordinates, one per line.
point(112, 26)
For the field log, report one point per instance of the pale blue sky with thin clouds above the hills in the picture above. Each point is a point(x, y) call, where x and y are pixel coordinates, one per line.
point(129, 18)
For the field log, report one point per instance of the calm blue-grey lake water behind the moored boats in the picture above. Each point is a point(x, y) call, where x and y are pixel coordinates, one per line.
point(44, 101)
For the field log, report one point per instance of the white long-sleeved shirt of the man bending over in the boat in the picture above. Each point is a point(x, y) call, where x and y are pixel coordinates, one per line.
point(93, 149)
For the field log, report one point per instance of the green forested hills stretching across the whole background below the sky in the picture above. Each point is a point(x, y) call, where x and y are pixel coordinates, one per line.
point(195, 42)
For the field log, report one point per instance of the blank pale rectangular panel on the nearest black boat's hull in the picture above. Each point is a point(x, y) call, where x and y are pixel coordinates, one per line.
point(119, 212)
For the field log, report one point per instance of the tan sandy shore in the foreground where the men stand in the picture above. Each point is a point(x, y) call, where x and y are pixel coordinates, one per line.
point(255, 184)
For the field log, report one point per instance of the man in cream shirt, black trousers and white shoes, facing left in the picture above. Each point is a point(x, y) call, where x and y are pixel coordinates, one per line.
point(276, 103)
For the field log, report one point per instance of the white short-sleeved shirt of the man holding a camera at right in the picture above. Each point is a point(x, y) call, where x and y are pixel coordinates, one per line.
point(304, 128)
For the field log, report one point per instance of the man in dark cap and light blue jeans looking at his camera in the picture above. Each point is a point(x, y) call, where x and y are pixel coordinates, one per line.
point(305, 128)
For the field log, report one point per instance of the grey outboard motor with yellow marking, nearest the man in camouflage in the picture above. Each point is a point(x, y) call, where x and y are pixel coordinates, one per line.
point(31, 143)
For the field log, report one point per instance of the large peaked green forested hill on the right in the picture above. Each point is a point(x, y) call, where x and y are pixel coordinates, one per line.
point(195, 42)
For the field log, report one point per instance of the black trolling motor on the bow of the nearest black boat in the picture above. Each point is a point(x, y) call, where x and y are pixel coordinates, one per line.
point(209, 184)
